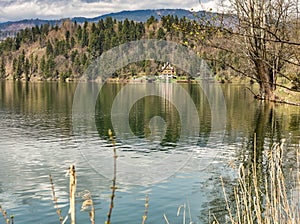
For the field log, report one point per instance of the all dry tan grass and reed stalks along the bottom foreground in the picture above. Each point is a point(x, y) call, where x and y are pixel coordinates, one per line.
point(256, 200)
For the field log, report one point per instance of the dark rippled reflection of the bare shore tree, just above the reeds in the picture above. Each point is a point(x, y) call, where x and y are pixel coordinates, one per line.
point(271, 123)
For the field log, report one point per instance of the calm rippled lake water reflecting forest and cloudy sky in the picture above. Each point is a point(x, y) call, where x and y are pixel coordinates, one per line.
point(38, 138)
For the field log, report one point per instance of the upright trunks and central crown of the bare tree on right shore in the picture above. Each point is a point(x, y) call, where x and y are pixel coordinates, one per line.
point(266, 27)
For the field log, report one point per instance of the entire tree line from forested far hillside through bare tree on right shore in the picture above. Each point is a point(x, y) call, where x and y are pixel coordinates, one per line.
point(258, 39)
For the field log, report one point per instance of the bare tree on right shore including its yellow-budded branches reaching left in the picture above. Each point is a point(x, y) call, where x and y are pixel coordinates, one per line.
point(264, 37)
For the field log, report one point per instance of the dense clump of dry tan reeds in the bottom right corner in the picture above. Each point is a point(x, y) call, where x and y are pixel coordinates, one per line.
point(268, 200)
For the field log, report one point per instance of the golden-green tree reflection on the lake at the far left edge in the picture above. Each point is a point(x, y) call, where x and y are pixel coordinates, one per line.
point(40, 102)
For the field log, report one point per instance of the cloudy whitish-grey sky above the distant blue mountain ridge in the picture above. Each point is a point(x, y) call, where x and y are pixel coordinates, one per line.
point(12, 10)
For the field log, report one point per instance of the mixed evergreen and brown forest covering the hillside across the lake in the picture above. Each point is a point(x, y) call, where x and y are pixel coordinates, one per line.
point(60, 52)
